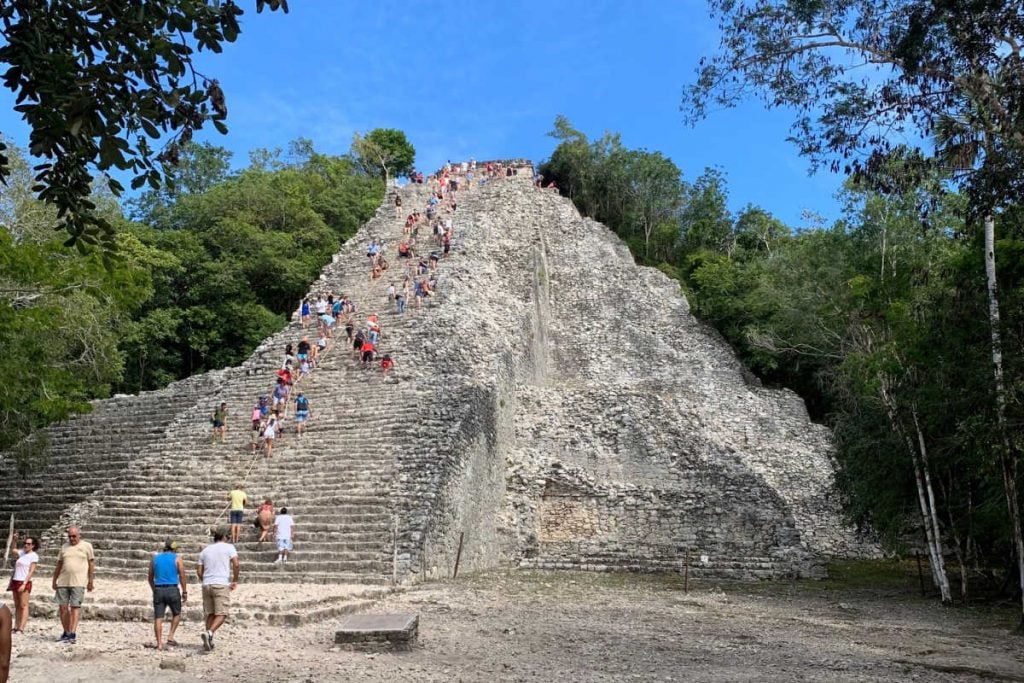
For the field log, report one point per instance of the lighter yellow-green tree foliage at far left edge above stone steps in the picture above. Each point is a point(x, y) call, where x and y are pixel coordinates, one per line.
point(61, 318)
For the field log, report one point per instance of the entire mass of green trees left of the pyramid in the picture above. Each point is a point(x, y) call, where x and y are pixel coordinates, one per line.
point(219, 266)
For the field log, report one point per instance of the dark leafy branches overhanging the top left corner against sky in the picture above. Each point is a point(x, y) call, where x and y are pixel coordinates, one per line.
point(98, 83)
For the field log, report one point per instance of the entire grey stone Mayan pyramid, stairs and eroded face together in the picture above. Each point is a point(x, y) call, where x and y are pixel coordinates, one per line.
point(553, 406)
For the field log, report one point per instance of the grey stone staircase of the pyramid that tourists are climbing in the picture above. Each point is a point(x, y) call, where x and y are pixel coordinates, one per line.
point(143, 469)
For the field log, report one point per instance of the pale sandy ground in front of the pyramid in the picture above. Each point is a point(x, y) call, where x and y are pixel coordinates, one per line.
point(574, 627)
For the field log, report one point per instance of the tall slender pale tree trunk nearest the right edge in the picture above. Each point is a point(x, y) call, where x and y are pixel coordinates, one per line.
point(1008, 454)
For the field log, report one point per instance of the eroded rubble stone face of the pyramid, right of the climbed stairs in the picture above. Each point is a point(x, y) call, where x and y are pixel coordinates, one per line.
point(637, 440)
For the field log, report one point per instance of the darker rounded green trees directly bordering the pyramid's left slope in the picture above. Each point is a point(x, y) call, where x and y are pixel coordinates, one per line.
point(238, 259)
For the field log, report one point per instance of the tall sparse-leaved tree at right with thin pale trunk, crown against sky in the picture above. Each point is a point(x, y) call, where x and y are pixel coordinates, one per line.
point(857, 73)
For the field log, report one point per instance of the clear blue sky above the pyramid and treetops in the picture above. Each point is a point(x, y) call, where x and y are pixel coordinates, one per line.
point(486, 79)
